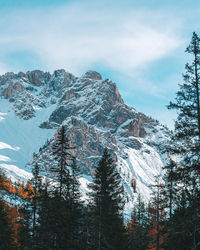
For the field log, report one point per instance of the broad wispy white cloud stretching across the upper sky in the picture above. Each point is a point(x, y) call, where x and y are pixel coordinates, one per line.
point(77, 36)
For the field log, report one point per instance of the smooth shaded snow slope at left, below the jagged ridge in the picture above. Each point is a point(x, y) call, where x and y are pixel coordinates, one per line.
point(19, 139)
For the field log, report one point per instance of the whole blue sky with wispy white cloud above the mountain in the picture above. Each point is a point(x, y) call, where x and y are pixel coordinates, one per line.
point(138, 44)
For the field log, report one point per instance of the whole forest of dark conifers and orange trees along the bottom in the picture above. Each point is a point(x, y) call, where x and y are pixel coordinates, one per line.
point(51, 215)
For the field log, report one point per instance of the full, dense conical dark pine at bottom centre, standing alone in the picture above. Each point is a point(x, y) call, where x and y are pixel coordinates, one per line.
point(107, 204)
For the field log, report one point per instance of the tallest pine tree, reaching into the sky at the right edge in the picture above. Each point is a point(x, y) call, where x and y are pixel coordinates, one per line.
point(187, 138)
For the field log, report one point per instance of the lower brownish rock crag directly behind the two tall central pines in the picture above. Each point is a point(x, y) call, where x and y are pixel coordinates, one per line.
point(89, 140)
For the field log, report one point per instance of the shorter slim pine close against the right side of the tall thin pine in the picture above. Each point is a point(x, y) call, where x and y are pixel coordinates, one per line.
point(70, 211)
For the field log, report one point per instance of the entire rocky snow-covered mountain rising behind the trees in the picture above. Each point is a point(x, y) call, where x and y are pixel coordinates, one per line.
point(35, 104)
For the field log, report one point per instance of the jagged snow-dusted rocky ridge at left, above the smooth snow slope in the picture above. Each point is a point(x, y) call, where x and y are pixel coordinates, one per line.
point(34, 90)
